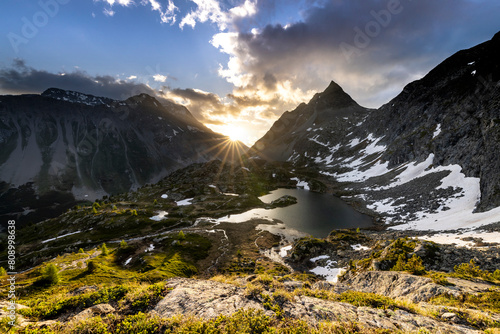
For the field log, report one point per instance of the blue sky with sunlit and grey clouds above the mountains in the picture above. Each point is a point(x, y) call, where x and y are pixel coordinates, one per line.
point(237, 65)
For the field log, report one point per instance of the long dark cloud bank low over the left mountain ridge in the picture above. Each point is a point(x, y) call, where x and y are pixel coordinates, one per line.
point(23, 79)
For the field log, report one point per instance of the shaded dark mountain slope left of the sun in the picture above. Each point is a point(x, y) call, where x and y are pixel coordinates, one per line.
point(85, 147)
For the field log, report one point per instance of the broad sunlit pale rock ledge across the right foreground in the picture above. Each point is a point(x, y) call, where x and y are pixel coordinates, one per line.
point(208, 299)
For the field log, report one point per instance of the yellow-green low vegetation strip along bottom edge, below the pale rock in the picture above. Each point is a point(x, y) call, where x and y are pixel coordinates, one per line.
point(243, 321)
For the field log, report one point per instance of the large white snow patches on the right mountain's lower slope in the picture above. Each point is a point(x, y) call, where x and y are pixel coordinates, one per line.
point(454, 212)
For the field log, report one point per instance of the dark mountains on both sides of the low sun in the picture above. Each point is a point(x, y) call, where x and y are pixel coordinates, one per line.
point(430, 154)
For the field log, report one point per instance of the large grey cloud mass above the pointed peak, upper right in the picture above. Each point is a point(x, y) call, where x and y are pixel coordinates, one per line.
point(370, 47)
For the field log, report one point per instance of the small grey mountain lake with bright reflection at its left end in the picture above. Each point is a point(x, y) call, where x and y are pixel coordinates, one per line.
point(315, 214)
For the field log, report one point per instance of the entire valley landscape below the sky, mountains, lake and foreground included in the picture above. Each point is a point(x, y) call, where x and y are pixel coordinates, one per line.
point(193, 233)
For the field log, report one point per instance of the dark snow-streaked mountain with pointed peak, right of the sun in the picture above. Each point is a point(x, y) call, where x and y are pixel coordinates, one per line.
point(430, 155)
